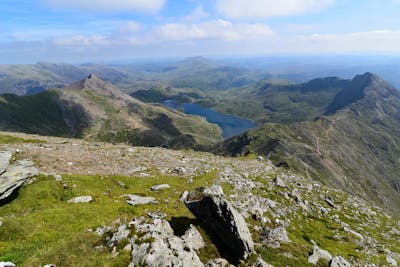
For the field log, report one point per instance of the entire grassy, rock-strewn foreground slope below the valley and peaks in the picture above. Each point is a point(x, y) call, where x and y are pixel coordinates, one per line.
point(100, 204)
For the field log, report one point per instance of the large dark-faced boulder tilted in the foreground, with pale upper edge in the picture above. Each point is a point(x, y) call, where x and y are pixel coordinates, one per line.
point(222, 220)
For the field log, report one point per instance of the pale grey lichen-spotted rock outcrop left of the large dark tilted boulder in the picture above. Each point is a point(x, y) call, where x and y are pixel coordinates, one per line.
point(154, 243)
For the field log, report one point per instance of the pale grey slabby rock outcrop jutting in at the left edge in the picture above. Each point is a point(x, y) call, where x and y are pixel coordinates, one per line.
point(13, 175)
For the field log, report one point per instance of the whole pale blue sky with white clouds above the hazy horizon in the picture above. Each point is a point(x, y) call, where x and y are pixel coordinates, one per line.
point(126, 30)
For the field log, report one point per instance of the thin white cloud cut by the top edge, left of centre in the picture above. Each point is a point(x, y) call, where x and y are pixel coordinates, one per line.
point(109, 5)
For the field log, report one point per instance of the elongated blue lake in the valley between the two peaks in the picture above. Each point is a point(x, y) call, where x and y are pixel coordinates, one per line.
point(229, 124)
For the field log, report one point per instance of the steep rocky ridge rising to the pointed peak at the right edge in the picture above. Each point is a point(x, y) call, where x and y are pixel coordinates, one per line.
point(355, 145)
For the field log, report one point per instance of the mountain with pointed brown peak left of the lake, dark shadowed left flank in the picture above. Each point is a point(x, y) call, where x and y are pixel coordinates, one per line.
point(95, 109)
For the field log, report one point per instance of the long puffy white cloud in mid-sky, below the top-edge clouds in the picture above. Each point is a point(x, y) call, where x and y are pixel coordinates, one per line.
point(212, 30)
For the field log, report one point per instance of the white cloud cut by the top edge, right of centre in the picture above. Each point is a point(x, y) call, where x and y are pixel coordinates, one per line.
point(261, 9)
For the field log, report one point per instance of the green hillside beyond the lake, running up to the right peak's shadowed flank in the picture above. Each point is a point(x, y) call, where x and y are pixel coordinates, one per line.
point(281, 102)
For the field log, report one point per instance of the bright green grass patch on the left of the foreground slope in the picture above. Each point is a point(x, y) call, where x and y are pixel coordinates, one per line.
point(39, 227)
